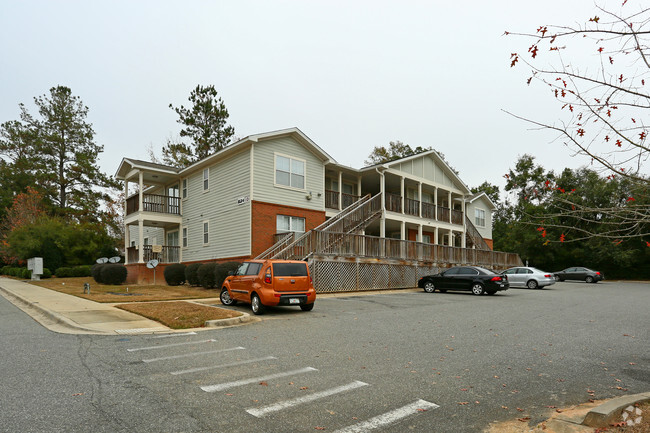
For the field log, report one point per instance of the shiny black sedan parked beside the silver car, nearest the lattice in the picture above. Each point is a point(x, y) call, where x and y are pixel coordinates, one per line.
point(470, 278)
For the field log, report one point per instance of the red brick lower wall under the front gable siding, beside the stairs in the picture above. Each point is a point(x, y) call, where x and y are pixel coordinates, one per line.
point(264, 222)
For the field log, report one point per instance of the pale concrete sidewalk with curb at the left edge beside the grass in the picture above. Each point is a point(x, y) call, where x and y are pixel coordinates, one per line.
point(73, 315)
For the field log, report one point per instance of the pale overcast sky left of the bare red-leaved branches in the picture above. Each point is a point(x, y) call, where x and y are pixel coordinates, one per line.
point(350, 74)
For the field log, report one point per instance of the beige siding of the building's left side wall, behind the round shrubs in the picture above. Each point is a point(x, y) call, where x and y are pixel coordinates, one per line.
point(229, 223)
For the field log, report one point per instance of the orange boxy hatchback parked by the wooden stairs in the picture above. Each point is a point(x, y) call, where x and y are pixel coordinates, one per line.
point(266, 283)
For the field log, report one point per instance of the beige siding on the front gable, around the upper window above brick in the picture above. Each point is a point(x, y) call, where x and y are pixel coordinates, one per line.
point(265, 188)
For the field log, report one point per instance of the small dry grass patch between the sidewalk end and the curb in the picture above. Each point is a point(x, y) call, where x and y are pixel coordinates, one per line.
point(179, 315)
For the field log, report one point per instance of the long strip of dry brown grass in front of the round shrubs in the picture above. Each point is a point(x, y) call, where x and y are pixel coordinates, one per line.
point(125, 292)
